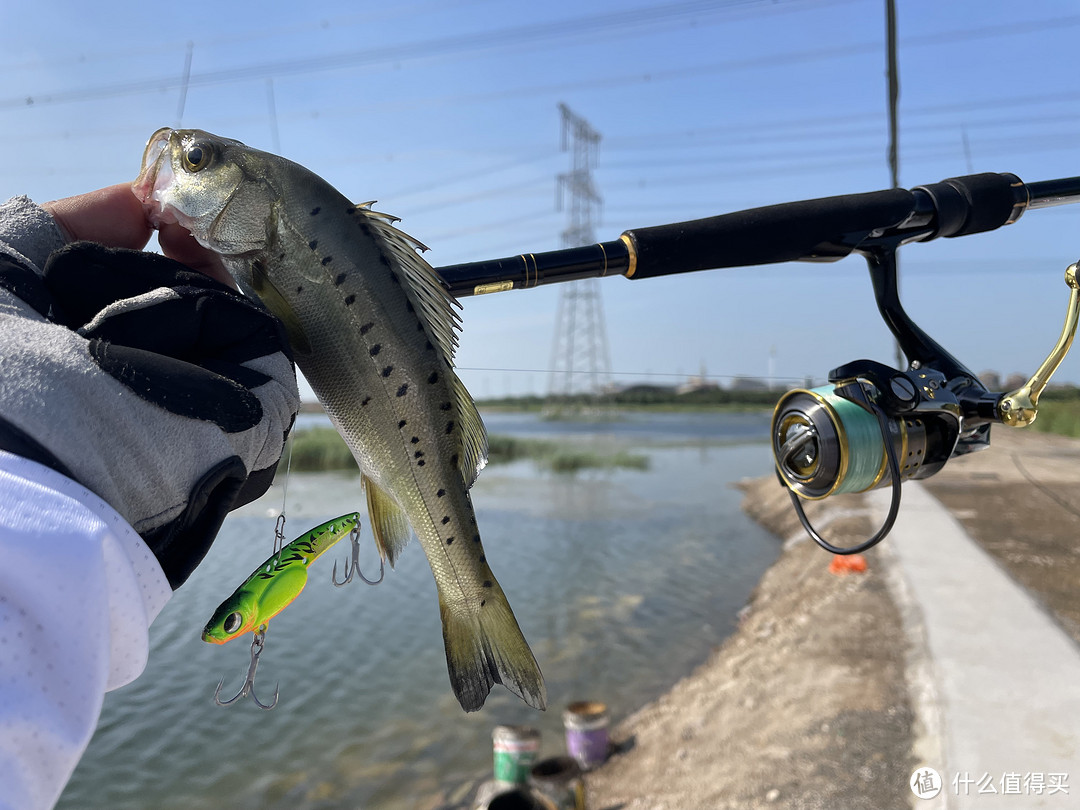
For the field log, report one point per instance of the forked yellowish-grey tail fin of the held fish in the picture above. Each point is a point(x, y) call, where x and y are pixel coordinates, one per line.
point(485, 647)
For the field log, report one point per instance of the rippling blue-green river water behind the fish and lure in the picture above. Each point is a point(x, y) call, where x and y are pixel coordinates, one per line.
point(622, 580)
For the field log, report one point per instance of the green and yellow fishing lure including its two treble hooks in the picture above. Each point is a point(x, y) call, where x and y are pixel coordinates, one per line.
point(274, 587)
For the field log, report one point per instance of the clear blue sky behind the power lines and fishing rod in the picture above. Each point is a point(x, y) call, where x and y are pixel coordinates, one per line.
point(448, 114)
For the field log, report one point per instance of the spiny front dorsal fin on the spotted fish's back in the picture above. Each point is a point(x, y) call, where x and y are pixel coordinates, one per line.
point(428, 290)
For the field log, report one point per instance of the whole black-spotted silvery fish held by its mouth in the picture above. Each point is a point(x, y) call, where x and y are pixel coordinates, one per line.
point(374, 331)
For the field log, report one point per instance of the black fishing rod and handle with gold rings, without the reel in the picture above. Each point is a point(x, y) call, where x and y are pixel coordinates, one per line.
point(825, 229)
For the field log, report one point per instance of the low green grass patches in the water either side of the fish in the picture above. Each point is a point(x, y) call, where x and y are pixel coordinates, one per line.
point(321, 450)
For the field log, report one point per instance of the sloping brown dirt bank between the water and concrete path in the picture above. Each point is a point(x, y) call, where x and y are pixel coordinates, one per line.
point(805, 707)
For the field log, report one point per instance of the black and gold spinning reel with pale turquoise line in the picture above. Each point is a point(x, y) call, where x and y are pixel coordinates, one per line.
point(874, 426)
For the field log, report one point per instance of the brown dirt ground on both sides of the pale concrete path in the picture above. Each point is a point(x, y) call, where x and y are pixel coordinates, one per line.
point(807, 705)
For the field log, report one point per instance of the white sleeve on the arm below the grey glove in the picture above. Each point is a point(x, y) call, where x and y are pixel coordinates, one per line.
point(78, 592)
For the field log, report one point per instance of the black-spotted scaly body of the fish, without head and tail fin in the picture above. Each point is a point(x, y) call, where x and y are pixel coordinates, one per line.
point(360, 308)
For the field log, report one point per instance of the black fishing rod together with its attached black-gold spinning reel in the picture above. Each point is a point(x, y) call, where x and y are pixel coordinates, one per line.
point(873, 425)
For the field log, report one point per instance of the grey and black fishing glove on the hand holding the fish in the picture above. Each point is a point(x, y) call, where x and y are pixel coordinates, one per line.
point(154, 386)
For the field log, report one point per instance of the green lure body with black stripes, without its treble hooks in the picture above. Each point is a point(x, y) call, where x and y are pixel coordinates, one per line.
point(275, 585)
